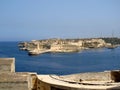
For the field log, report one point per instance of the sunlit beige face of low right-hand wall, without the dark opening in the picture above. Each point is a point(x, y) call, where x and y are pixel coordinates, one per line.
point(95, 76)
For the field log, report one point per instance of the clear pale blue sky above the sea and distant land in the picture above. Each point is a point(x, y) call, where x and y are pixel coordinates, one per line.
point(22, 20)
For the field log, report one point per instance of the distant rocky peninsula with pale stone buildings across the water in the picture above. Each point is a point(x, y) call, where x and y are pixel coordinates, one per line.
point(57, 45)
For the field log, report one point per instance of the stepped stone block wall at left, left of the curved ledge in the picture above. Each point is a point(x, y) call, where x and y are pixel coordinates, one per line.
point(11, 80)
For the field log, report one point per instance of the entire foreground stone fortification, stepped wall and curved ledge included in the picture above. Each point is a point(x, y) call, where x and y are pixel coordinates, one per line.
point(11, 80)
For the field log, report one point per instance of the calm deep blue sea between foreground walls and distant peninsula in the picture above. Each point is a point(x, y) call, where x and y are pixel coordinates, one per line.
point(62, 63)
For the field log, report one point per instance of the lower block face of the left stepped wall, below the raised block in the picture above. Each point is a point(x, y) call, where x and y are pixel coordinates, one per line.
point(15, 81)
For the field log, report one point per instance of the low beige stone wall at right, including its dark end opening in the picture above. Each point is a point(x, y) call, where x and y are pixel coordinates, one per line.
point(107, 76)
